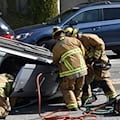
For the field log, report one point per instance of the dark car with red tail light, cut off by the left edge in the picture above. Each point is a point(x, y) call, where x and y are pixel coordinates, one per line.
point(5, 30)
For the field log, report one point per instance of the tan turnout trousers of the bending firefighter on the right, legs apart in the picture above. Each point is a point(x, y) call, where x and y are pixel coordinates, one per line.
point(101, 78)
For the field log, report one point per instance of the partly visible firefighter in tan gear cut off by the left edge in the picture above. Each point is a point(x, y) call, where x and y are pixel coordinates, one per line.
point(6, 81)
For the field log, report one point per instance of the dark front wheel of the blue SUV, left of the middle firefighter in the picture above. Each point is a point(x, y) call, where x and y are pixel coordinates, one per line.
point(47, 43)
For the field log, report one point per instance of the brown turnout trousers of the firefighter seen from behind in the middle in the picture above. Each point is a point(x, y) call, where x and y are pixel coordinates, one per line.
point(72, 91)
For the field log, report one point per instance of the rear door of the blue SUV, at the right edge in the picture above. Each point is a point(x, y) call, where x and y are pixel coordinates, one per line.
point(110, 26)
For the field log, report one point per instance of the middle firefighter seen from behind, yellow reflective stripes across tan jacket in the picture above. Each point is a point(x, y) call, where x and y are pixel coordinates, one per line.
point(68, 55)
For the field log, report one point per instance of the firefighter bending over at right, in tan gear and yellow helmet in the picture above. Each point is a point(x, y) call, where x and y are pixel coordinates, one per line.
point(97, 62)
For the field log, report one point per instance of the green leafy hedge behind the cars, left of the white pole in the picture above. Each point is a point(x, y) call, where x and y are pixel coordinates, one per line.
point(39, 11)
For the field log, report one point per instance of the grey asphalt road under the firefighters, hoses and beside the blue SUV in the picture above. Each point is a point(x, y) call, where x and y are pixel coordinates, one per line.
point(56, 106)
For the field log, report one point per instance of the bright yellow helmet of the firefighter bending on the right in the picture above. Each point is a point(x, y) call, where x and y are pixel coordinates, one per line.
point(69, 31)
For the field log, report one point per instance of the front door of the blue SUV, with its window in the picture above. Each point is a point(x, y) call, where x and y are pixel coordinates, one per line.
point(88, 21)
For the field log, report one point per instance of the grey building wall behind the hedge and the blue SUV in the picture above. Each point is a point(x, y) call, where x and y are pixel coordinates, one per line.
point(63, 5)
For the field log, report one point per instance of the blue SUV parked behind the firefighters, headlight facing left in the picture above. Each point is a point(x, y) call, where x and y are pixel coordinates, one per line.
point(101, 18)
